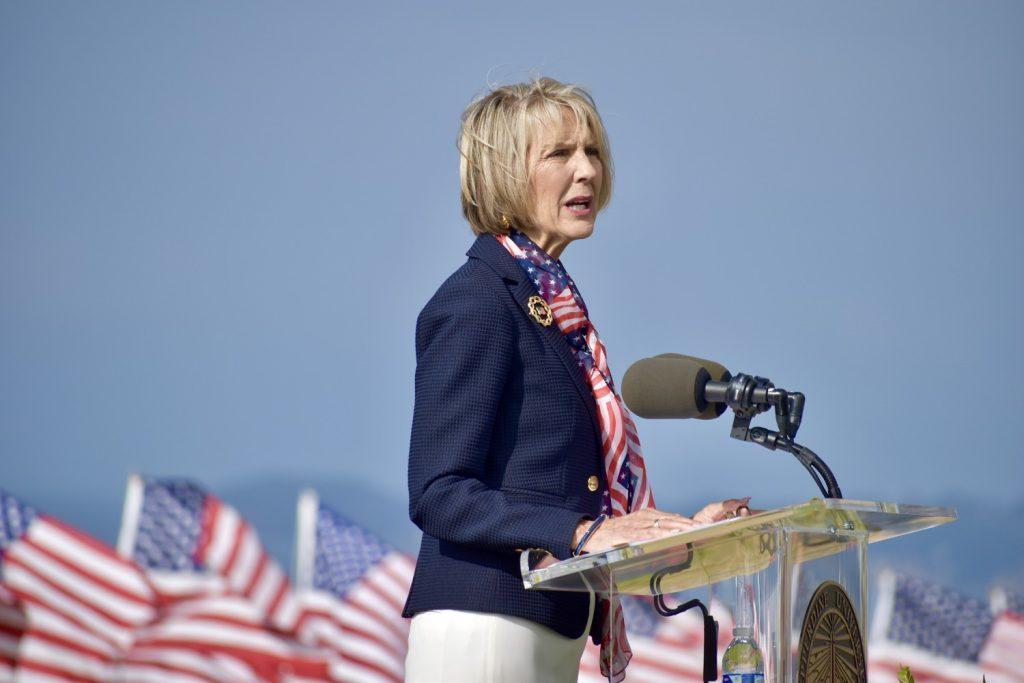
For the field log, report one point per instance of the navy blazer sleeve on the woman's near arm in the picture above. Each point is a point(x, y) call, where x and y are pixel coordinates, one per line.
point(464, 350)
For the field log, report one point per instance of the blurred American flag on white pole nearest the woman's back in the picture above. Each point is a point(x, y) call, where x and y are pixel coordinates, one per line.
point(352, 588)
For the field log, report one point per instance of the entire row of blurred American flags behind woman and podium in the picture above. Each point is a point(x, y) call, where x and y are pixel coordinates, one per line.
point(192, 595)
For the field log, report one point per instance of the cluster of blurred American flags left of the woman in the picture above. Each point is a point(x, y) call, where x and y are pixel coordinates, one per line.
point(192, 595)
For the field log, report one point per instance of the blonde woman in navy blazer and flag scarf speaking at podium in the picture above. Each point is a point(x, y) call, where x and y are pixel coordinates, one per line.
point(520, 439)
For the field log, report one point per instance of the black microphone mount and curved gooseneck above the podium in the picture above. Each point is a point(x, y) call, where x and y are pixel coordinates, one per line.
point(749, 397)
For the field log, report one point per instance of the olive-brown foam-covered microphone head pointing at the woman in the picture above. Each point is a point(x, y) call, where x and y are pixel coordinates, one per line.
point(676, 387)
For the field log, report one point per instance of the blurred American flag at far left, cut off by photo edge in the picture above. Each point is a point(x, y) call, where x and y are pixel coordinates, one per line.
point(70, 606)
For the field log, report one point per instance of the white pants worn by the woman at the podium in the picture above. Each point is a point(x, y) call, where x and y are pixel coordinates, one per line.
point(455, 647)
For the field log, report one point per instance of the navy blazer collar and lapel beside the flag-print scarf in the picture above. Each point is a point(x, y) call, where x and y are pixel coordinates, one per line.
point(493, 253)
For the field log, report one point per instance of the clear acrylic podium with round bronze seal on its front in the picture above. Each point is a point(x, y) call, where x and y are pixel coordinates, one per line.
point(794, 560)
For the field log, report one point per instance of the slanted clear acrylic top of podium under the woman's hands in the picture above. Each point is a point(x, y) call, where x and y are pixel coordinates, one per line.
point(740, 546)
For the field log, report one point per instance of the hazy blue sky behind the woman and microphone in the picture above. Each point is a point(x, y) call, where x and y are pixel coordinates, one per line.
point(220, 221)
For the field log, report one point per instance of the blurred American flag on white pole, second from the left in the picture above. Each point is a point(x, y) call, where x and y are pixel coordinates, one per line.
point(231, 613)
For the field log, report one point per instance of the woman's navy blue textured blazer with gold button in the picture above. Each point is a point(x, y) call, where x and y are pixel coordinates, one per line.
point(505, 439)
